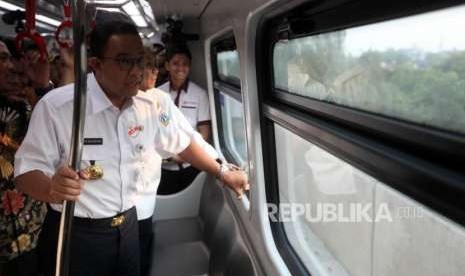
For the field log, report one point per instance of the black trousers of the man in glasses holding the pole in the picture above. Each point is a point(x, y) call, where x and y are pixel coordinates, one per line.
point(97, 248)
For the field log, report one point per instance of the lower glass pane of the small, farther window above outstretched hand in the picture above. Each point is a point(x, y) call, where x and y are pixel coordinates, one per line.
point(232, 116)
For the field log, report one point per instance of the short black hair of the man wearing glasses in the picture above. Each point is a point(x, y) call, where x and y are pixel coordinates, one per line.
point(104, 30)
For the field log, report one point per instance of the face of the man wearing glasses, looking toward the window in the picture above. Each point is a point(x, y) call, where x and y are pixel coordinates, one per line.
point(120, 70)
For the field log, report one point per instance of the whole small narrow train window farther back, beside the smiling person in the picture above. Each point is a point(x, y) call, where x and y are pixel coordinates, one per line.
point(228, 99)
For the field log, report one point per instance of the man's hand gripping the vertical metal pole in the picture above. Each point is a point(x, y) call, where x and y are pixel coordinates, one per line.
point(66, 185)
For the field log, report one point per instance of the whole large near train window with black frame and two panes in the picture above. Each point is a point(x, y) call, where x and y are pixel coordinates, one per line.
point(359, 100)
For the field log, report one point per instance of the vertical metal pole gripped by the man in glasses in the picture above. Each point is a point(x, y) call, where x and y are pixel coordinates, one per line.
point(80, 89)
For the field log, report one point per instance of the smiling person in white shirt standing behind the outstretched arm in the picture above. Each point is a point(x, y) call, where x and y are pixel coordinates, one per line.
point(193, 103)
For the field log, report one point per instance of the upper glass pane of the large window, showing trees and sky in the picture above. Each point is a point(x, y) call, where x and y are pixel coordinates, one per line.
point(411, 68)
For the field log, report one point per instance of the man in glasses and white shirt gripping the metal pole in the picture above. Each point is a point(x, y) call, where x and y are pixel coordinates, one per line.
point(123, 130)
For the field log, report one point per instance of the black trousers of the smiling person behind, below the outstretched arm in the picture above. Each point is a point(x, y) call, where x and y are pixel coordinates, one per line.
point(172, 182)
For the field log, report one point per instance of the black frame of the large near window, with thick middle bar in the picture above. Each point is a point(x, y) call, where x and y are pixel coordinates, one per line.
point(385, 148)
